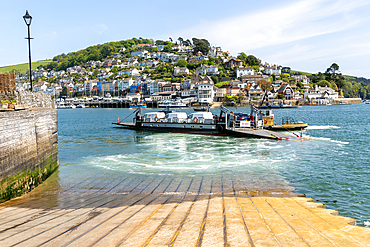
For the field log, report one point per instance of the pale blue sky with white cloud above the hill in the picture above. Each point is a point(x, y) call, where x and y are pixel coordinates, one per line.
point(306, 35)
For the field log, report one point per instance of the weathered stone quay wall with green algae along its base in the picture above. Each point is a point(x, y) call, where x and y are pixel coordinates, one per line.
point(28, 149)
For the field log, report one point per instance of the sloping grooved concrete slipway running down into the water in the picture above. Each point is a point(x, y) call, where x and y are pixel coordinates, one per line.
point(171, 211)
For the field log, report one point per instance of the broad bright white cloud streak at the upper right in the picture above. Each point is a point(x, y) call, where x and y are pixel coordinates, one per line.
point(295, 21)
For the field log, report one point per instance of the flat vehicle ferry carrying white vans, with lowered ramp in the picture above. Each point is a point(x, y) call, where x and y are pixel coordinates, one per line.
point(204, 123)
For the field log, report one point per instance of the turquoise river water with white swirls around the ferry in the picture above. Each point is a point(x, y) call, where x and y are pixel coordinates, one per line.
point(333, 166)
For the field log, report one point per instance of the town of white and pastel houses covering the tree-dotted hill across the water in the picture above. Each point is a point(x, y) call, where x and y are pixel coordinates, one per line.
point(197, 73)
